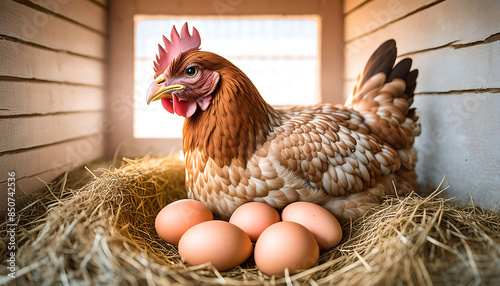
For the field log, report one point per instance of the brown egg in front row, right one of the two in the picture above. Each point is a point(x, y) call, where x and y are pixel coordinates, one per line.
point(285, 245)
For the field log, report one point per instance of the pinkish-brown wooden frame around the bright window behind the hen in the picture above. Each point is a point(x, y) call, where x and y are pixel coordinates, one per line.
point(120, 140)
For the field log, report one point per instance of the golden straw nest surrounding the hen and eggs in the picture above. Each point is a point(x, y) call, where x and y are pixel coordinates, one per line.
point(103, 234)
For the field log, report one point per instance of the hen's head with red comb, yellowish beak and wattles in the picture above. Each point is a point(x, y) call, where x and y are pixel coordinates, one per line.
point(182, 85)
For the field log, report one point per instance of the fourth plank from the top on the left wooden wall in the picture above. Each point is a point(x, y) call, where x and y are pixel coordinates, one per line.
point(23, 98)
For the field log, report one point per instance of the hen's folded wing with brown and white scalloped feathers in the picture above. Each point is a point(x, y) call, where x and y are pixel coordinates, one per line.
point(330, 148)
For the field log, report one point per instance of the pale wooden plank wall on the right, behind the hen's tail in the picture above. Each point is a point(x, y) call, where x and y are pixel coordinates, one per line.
point(455, 45)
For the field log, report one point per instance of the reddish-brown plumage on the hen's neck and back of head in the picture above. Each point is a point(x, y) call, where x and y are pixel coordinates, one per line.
point(237, 121)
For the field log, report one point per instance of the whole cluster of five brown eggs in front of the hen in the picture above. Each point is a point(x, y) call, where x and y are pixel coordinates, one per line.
point(292, 243)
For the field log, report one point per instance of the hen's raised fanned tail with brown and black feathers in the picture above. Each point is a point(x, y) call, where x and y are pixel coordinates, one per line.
point(379, 97)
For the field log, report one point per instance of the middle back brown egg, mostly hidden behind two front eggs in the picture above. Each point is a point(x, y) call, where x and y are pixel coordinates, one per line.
point(254, 217)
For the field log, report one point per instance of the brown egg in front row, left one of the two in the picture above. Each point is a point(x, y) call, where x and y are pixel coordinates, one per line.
point(216, 241)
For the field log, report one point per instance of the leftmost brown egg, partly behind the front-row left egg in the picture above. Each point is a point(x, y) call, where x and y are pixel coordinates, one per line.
point(176, 218)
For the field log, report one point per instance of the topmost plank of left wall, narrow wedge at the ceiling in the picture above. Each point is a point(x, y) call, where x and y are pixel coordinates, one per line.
point(87, 13)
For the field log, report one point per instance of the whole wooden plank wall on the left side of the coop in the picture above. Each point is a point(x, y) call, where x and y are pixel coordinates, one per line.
point(52, 84)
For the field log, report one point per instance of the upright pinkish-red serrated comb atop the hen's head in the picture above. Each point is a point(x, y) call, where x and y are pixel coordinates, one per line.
point(177, 45)
